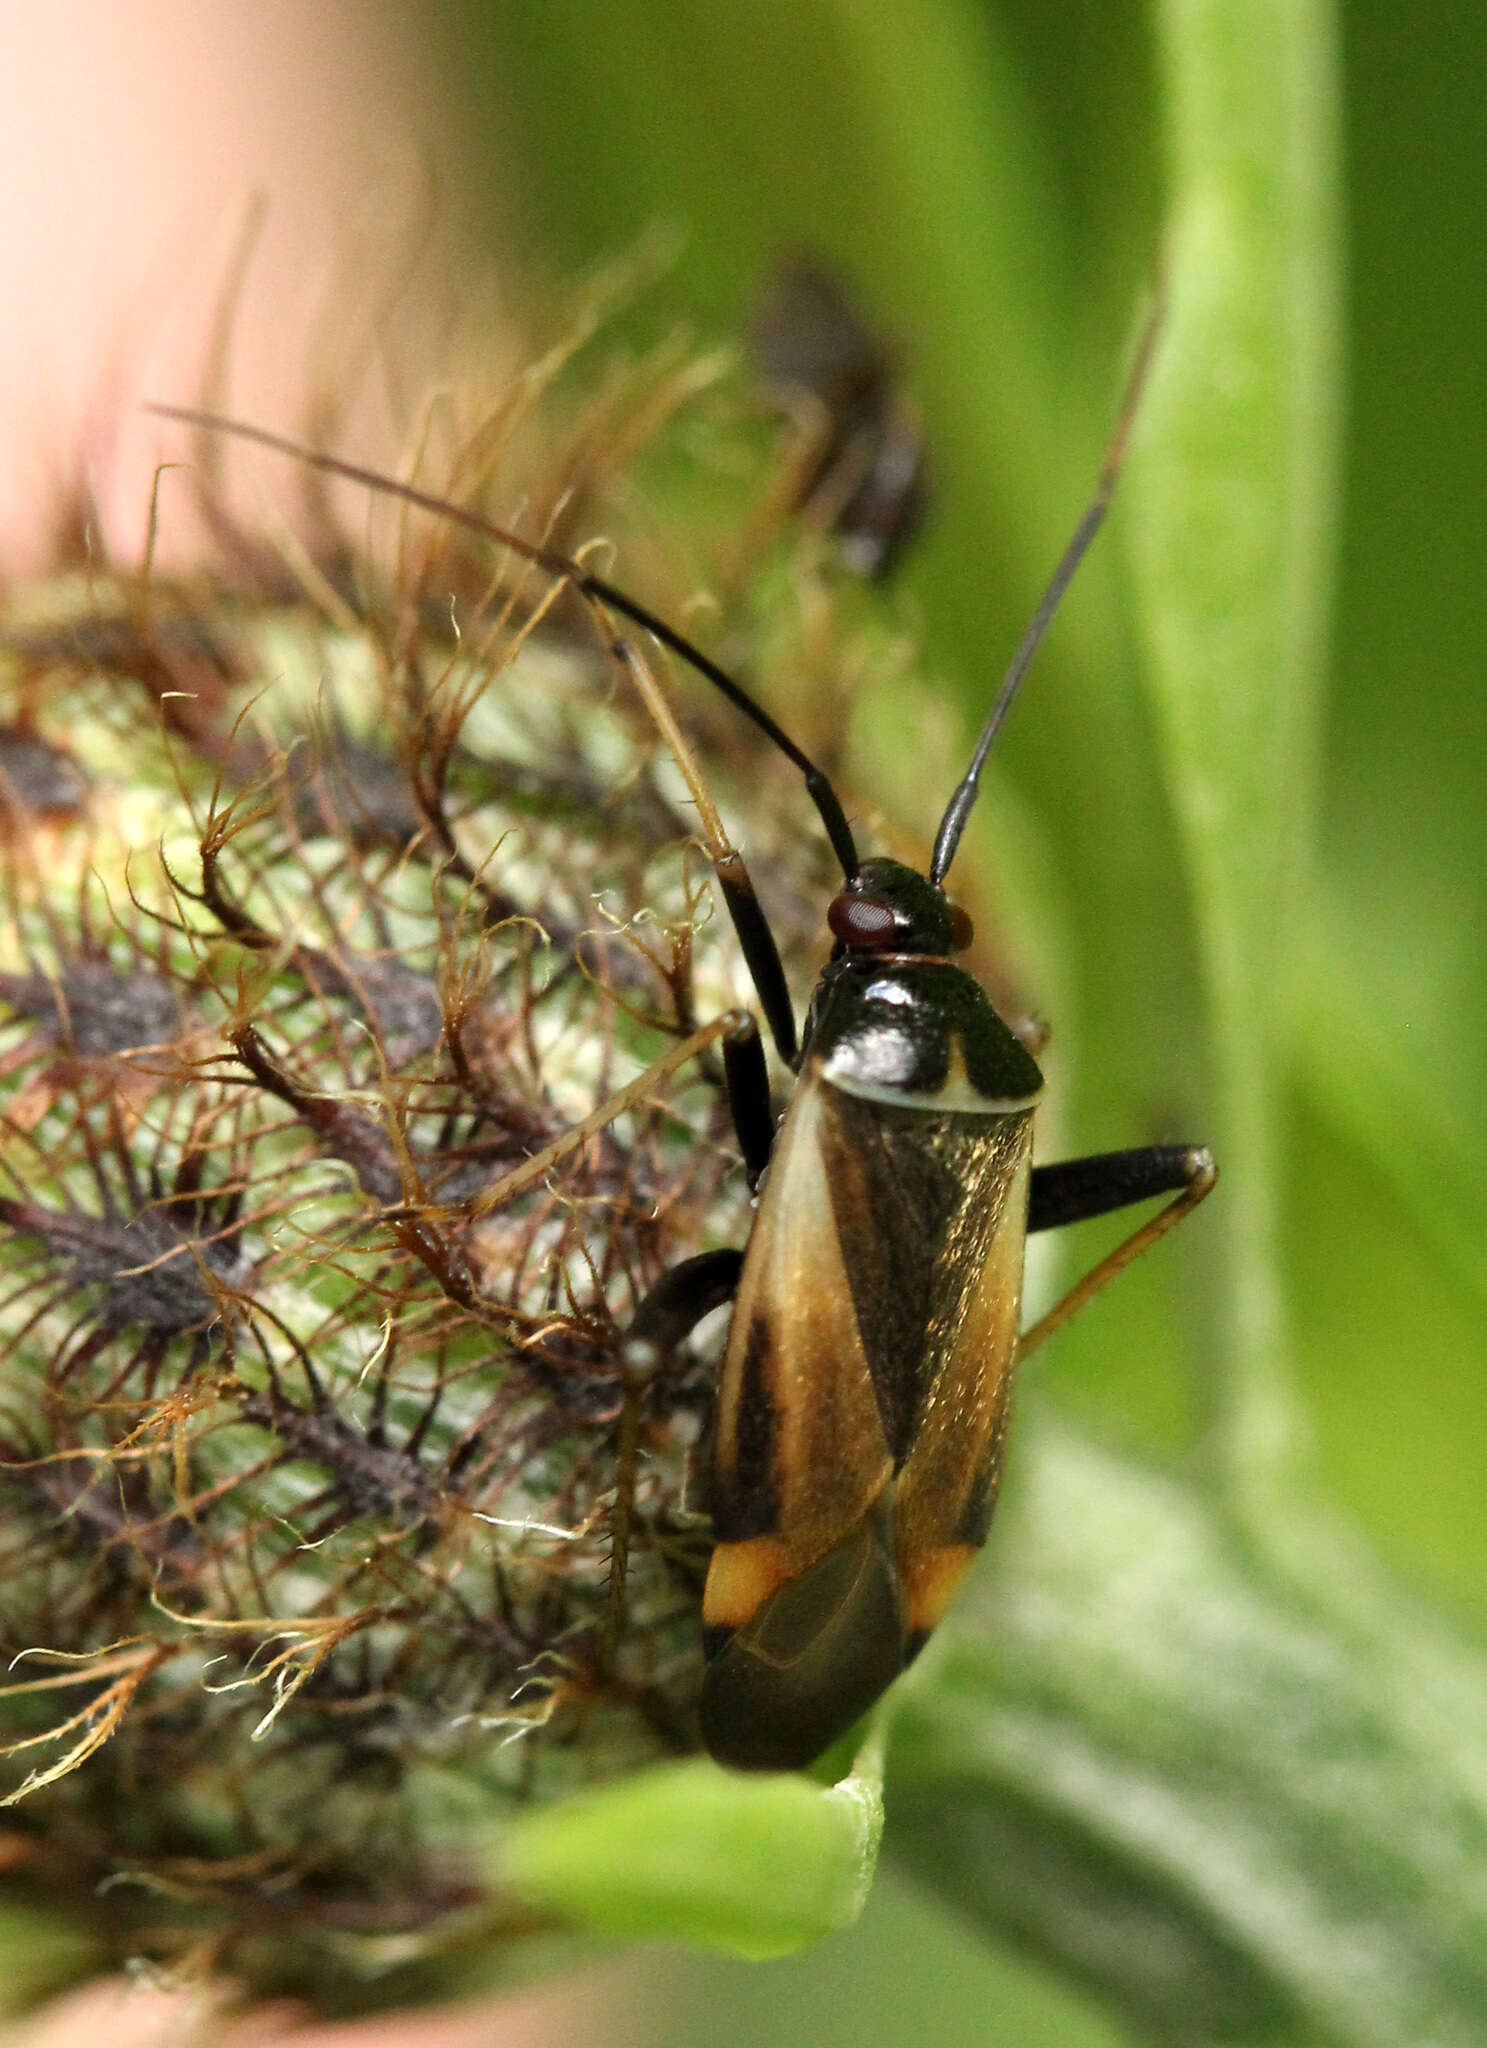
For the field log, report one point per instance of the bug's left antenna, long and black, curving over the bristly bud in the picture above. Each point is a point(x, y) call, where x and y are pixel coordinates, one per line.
point(554, 562)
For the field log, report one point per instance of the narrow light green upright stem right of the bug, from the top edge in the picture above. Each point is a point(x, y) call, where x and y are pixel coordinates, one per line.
point(1230, 517)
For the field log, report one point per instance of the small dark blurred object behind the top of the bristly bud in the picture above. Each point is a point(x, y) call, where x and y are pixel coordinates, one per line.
point(859, 466)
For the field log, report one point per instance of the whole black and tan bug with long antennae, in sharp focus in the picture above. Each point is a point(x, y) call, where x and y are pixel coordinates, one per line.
point(863, 1396)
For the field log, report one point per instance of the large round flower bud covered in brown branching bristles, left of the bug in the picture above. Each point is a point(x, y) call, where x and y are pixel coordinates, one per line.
point(351, 927)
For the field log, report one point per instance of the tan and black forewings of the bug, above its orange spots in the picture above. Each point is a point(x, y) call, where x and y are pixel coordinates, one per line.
point(876, 1326)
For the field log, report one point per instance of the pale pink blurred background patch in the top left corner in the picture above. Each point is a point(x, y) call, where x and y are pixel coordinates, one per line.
point(138, 142)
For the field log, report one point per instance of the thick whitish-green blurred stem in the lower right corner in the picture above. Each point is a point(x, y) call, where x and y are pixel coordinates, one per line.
point(1142, 1754)
